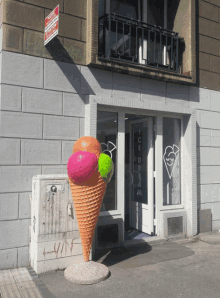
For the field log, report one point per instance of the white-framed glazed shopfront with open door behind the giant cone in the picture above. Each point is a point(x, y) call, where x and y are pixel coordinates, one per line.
point(145, 188)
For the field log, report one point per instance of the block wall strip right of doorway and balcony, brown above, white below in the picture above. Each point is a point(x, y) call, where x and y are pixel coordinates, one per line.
point(208, 109)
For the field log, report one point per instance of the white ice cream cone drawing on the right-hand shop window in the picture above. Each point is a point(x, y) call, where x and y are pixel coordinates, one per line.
point(171, 154)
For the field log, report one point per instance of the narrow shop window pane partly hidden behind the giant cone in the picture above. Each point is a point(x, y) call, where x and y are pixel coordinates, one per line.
point(107, 131)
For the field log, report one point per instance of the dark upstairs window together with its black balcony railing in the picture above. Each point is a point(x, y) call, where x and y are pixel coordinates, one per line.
point(135, 31)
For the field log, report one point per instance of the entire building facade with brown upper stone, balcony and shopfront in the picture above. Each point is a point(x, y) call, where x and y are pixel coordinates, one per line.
point(143, 77)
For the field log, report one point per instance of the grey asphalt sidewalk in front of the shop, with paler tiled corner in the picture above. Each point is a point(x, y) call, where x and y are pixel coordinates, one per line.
point(182, 268)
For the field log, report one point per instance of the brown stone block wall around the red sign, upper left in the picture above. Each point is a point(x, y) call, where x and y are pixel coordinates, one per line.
point(23, 29)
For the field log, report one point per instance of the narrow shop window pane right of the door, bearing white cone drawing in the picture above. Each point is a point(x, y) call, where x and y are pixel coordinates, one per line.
point(171, 161)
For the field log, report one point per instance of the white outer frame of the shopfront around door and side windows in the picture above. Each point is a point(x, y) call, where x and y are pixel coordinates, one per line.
point(158, 175)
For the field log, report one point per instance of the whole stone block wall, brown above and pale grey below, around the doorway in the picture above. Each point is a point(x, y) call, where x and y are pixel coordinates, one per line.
point(42, 106)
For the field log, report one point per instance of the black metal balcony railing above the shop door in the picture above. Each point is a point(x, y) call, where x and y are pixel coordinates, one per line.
point(133, 41)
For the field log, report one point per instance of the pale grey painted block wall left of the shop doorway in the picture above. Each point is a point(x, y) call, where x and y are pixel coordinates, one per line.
point(42, 115)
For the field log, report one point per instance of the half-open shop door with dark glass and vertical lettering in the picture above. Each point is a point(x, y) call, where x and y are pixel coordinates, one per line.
point(139, 174)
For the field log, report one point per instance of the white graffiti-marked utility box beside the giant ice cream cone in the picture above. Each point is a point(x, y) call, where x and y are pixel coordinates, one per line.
point(54, 241)
